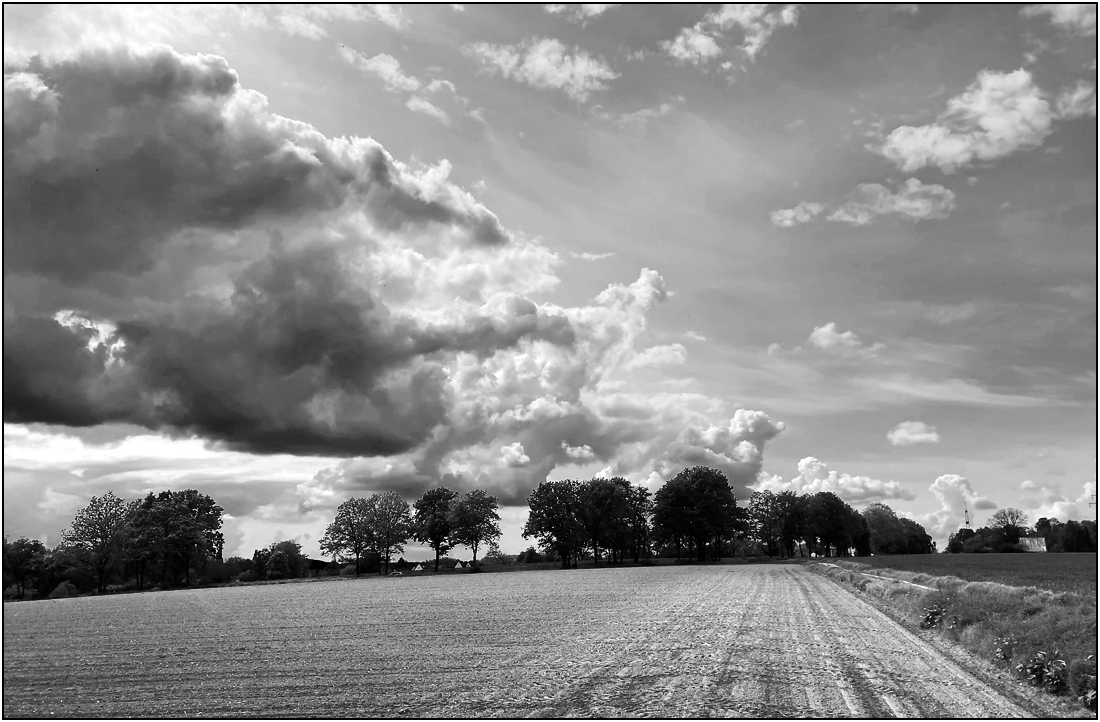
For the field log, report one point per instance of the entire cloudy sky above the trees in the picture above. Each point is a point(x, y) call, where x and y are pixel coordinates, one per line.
point(291, 256)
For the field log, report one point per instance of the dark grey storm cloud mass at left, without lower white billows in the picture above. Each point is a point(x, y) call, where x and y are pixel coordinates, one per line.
point(115, 161)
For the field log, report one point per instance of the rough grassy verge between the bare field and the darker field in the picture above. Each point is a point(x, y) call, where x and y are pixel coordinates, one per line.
point(1047, 639)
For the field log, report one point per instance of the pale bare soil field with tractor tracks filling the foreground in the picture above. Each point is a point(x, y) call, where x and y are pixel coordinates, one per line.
point(772, 641)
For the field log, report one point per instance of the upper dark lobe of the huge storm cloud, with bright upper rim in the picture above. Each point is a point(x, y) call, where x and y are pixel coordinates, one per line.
point(109, 154)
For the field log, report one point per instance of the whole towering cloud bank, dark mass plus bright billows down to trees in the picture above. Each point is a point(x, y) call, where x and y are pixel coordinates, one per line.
point(181, 259)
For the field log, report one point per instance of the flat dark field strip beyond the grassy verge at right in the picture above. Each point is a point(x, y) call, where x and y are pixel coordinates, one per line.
point(1057, 573)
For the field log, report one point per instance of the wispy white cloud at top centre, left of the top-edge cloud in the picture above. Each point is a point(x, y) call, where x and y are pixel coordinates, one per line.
point(546, 63)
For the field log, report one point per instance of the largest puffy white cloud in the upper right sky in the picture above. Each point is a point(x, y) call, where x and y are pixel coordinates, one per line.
point(998, 115)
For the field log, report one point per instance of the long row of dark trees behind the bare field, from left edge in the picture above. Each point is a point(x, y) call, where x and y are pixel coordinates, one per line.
point(173, 538)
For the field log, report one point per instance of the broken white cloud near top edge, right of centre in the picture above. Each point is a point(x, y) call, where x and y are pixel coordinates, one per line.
point(699, 45)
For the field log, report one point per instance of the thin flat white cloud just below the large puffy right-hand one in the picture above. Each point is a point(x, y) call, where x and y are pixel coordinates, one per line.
point(912, 201)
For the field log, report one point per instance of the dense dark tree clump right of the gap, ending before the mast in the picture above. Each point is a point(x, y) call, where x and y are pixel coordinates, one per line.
point(697, 513)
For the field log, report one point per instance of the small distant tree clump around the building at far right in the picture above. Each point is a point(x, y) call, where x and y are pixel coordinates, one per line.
point(1008, 527)
